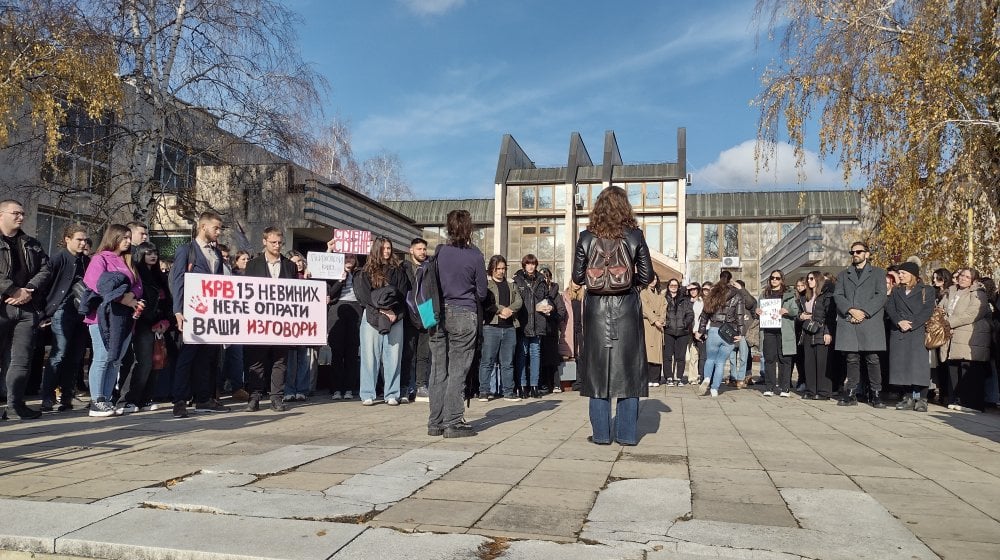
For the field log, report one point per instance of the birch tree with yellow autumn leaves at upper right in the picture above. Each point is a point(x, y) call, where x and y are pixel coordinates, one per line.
point(905, 93)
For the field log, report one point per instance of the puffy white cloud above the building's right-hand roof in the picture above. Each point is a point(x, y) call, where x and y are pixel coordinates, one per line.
point(735, 169)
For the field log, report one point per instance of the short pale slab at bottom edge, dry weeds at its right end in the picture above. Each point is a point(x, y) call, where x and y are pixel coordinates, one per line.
point(386, 543)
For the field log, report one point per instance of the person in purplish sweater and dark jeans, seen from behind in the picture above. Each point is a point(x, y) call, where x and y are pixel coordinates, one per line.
point(462, 280)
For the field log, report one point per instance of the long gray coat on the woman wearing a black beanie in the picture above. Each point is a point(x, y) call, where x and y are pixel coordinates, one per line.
point(908, 358)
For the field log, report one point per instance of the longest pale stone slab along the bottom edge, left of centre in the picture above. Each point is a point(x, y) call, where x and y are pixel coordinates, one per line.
point(196, 536)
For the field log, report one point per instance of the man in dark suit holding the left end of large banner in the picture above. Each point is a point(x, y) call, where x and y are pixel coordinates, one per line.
point(202, 256)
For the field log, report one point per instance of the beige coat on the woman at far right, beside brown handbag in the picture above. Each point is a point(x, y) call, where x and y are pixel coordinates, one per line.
point(968, 313)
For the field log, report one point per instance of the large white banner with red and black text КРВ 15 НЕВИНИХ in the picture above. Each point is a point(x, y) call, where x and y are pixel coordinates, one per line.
point(249, 310)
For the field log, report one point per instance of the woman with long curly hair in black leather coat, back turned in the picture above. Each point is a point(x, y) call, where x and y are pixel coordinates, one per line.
point(612, 324)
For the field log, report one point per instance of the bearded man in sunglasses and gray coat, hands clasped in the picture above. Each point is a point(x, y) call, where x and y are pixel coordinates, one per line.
point(860, 298)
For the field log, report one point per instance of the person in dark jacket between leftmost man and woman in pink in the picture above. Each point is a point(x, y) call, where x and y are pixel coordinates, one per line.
point(69, 335)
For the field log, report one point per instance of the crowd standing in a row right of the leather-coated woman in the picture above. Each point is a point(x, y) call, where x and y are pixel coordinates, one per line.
point(856, 336)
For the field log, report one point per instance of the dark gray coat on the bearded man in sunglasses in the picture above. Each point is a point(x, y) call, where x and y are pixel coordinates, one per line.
point(866, 293)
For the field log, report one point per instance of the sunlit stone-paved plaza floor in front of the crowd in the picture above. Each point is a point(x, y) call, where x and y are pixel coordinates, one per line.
point(739, 476)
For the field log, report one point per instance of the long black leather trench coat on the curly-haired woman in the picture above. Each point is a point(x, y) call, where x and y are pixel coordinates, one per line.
point(613, 345)
